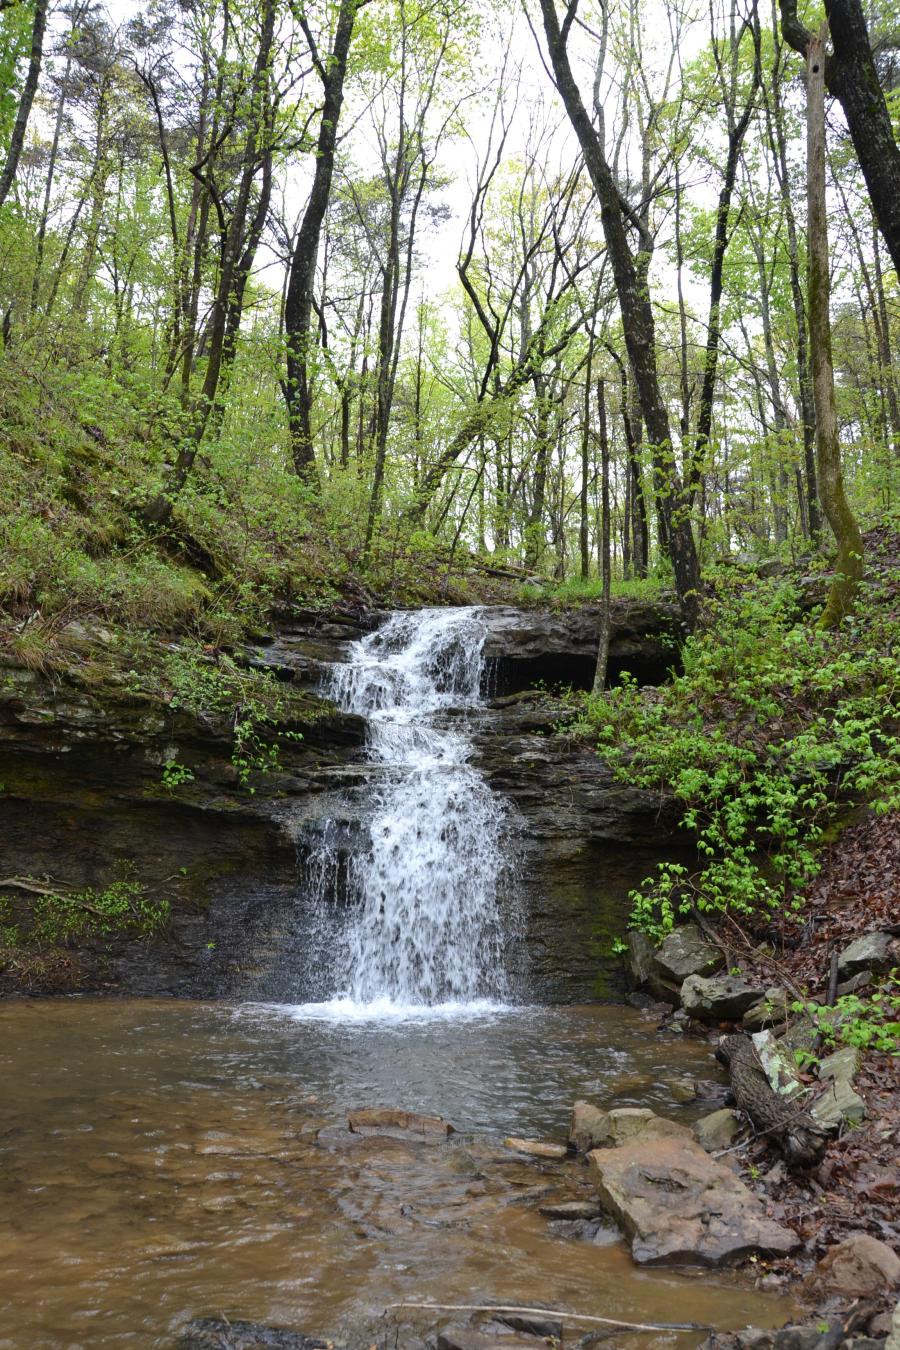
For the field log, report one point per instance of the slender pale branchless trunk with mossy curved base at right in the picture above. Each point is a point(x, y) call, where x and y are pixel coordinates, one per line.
point(847, 531)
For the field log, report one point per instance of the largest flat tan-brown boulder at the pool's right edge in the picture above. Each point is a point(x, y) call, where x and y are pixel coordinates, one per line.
point(681, 1208)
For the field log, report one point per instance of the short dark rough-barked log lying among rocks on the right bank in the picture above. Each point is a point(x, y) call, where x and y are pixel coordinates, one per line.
point(787, 1124)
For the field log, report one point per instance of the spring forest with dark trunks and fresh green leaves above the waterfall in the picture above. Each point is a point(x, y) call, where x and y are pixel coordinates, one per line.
point(302, 294)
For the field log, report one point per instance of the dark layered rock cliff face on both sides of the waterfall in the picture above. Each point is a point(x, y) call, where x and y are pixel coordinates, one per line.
point(82, 770)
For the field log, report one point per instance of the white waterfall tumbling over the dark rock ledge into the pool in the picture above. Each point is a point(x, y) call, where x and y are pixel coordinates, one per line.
point(426, 928)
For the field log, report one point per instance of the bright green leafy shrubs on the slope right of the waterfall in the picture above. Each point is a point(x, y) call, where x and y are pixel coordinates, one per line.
point(772, 731)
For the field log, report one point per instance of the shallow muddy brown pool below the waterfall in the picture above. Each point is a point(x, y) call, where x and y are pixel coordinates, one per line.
point(160, 1162)
